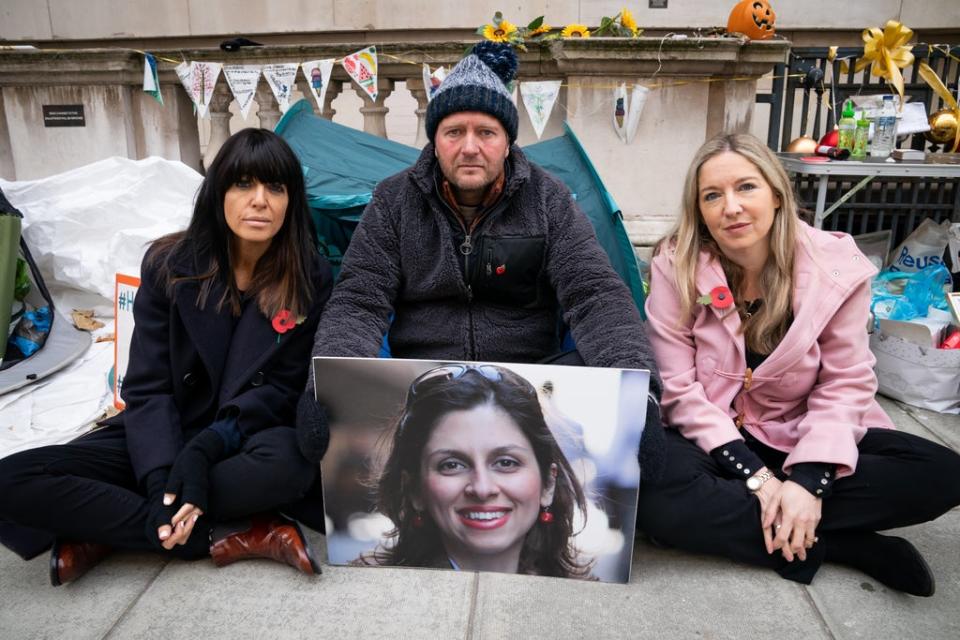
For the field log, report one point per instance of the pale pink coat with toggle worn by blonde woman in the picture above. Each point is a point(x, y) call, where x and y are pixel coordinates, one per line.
point(813, 397)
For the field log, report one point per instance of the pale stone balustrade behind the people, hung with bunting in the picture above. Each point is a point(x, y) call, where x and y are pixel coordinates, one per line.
point(700, 87)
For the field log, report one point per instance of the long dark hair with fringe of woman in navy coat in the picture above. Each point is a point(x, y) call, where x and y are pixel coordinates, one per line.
point(282, 276)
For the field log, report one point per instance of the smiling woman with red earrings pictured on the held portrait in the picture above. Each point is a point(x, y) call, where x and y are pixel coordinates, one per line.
point(476, 481)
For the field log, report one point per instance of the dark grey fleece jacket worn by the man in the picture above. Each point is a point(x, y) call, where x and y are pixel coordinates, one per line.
point(533, 255)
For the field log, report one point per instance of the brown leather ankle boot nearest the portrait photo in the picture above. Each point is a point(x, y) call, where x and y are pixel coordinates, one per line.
point(264, 536)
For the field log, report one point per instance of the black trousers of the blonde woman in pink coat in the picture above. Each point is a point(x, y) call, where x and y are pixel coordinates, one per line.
point(900, 480)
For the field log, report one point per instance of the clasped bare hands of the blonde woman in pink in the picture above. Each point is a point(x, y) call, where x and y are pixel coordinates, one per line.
point(789, 515)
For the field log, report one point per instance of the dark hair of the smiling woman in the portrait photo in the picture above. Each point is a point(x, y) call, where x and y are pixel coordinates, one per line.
point(547, 550)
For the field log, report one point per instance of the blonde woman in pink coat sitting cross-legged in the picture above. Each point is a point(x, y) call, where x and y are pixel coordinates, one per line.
point(778, 453)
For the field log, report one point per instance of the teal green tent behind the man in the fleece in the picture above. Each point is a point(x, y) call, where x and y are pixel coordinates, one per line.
point(342, 166)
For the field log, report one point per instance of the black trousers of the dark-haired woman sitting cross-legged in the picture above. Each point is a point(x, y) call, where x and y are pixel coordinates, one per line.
point(85, 491)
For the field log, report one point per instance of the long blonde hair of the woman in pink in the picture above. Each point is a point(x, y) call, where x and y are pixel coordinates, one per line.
point(765, 328)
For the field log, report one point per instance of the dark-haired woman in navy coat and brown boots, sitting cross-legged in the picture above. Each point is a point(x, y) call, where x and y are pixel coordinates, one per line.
point(204, 452)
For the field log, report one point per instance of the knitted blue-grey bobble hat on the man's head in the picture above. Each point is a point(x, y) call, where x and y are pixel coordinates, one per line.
point(478, 83)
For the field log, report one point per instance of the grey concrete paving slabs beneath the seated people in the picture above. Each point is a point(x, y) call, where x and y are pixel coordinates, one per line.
point(671, 595)
